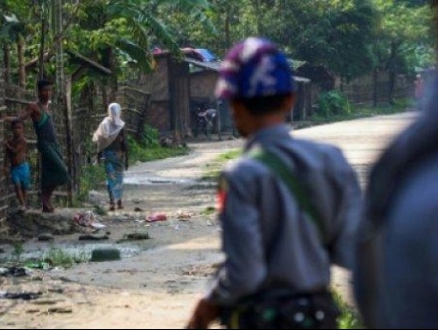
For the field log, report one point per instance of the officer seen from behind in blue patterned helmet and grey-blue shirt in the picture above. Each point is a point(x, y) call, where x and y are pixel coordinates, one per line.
point(289, 208)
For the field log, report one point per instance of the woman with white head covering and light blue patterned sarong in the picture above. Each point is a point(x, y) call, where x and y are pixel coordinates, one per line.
point(112, 147)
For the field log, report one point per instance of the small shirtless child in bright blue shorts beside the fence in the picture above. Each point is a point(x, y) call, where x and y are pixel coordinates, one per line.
point(15, 150)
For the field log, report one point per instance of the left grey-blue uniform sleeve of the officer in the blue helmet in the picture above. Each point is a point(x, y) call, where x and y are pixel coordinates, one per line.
point(244, 267)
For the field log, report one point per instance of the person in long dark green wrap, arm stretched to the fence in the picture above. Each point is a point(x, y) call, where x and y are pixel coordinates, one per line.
point(54, 172)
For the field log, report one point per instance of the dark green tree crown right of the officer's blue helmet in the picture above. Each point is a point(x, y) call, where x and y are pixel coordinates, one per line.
point(337, 34)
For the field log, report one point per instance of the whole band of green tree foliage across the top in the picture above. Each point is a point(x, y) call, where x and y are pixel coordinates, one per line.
point(349, 37)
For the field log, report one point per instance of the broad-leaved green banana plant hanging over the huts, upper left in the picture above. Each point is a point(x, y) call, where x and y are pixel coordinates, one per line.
point(130, 27)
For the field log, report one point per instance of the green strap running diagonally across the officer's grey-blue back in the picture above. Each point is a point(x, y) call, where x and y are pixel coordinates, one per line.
point(278, 167)
